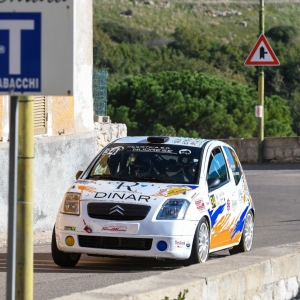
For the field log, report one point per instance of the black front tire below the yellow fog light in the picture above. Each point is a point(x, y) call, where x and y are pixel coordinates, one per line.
point(61, 258)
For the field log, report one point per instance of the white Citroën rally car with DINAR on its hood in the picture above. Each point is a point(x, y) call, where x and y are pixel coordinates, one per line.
point(161, 197)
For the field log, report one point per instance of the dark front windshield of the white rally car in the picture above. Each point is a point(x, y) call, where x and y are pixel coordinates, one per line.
point(153, 163)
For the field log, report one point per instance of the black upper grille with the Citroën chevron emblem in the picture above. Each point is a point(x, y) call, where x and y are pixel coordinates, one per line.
point(117, 211)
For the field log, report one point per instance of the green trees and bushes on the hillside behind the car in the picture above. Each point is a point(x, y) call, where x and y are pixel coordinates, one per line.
point(193, 85)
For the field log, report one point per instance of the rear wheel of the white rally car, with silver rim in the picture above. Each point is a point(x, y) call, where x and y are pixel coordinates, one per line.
point(246, 241)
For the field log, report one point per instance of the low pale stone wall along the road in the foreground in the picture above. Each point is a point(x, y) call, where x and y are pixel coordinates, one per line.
point(266, 273)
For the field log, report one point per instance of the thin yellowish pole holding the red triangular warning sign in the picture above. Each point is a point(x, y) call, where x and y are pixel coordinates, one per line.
point(261, 88)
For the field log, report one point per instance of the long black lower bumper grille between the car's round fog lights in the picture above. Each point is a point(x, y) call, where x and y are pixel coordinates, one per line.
point(105, 242)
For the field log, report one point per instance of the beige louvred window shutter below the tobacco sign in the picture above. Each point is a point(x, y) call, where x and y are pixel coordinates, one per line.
point(40, 115)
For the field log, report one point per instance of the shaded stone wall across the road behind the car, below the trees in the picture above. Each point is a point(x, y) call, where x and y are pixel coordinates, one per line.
point(275, 150)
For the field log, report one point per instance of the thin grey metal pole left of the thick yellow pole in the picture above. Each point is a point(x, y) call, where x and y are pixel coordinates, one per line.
point(12, 217)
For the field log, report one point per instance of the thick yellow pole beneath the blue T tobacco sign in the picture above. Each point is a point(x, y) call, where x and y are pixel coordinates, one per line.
point(24, 252)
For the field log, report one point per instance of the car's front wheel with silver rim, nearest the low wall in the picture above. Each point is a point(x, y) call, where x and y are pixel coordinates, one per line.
point(201, 243)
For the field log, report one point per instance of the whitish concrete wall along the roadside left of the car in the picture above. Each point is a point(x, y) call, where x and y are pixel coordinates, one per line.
point(57, 159)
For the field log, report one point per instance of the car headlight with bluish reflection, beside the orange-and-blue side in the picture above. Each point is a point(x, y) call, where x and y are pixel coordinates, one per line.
point(173, 209)
